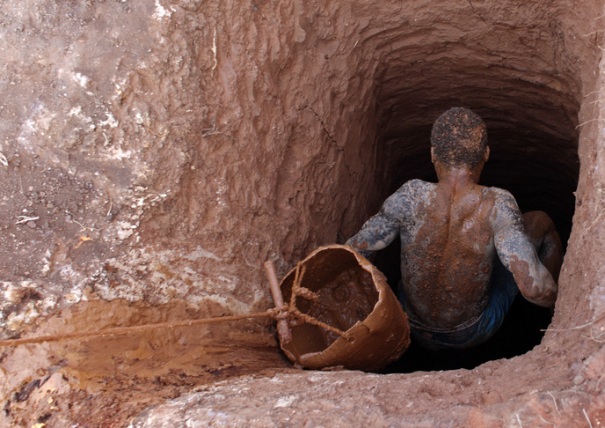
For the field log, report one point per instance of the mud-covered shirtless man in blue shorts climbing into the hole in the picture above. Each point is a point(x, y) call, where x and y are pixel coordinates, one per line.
point(466, 249)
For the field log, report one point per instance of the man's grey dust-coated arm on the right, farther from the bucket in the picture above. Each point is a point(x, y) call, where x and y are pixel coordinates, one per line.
point(519, 255)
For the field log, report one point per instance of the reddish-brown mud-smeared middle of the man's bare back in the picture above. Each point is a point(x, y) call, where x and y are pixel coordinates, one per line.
point(454, 249)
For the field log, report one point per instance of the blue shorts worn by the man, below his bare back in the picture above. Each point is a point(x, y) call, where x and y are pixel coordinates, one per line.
point(502, 294)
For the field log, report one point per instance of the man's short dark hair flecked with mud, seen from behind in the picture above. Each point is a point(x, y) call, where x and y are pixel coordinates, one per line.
point(459, 137)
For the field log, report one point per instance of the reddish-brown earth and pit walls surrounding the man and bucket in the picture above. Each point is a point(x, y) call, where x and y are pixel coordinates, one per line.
point(158, 152)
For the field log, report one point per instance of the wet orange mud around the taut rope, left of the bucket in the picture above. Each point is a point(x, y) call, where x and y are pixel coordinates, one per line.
point(76, 379)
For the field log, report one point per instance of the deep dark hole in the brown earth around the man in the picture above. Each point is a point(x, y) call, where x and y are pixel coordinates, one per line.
point(533, 139)
